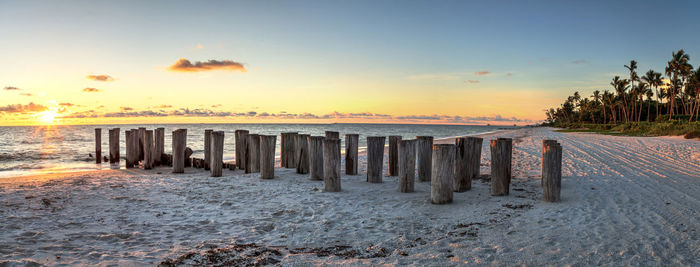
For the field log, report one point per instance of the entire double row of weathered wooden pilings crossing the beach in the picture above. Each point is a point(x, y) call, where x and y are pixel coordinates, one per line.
point(448, 167)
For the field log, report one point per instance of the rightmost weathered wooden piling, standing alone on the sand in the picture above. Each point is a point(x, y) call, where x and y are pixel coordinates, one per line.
point(551, 170)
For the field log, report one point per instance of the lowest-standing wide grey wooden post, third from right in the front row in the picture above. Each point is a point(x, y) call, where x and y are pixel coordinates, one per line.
point(442, 173)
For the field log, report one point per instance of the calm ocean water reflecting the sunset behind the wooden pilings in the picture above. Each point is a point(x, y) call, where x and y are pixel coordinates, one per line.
point(26, 150)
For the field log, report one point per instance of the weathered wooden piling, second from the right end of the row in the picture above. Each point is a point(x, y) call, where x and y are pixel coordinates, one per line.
point(501, 153)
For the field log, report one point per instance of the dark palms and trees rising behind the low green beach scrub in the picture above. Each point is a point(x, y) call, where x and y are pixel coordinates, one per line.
point(654, 96)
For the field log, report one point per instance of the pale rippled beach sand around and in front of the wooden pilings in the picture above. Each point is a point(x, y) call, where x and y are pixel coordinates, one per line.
point(626, 201)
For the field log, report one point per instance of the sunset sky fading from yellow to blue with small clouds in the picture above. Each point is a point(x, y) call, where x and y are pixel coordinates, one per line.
point(460, 62)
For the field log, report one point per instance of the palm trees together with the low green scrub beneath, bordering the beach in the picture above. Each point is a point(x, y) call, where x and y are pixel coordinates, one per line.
point(652, 104)
